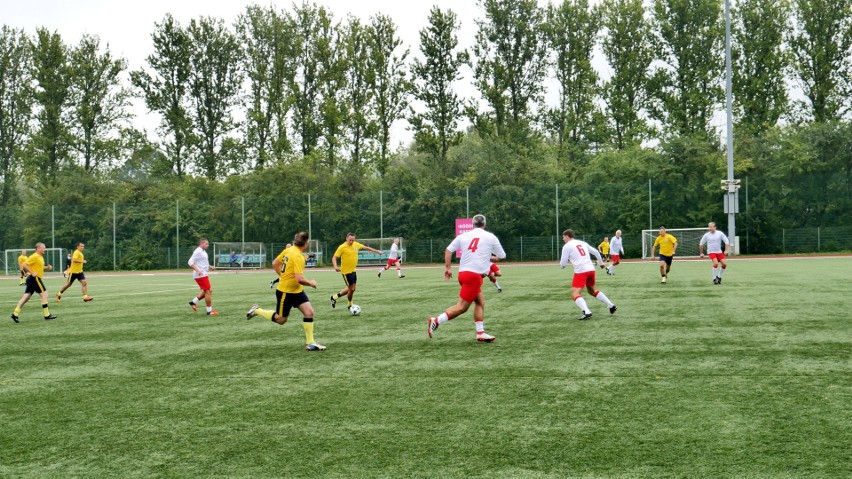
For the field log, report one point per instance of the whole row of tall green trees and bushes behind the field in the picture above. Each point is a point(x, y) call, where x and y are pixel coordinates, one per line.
point(308, 100)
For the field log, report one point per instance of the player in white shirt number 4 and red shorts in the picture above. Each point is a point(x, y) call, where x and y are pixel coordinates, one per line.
point(476, 246)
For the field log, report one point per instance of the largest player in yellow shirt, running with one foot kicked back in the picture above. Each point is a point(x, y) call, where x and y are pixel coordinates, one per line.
point(290, 266)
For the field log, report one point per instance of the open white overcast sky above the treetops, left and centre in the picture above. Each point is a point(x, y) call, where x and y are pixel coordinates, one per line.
point(127, 26)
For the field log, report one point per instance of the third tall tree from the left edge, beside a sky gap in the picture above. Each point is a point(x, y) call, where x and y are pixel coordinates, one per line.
point(100, 102)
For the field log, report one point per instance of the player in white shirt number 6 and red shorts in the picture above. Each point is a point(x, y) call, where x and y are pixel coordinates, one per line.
point(578, 253)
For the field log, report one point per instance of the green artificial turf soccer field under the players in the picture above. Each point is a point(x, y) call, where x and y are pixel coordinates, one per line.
point(751, 378)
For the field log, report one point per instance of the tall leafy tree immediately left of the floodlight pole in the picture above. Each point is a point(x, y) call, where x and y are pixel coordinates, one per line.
point(688, 38)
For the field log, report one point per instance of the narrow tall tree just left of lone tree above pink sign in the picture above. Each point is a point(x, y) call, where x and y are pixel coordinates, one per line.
point(390, 83)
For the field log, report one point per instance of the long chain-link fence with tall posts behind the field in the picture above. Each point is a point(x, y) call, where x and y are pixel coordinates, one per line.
point(160, 233)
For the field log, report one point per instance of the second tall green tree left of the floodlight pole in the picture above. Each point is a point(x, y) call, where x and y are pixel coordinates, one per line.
point(627, 48)
